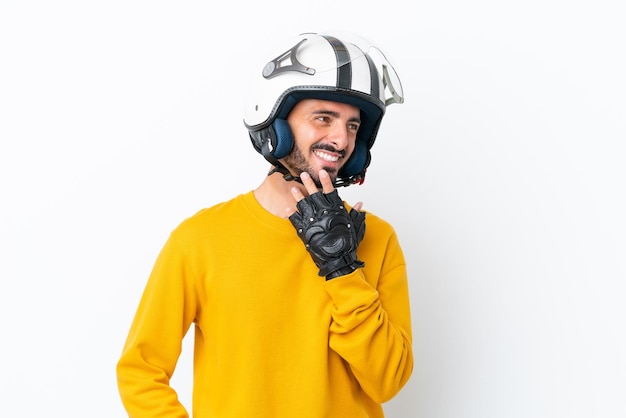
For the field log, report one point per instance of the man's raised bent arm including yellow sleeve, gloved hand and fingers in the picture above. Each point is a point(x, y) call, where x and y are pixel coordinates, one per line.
point(371, 324)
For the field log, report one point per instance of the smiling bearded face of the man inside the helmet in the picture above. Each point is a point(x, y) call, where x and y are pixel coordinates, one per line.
point(324, 137)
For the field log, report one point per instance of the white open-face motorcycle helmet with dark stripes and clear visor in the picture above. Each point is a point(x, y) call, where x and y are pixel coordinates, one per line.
point(339, 67)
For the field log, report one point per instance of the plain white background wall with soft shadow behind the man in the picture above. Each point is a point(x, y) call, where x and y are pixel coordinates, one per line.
point(503, 174)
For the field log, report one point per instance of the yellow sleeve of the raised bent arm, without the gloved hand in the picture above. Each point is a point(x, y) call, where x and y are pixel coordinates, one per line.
point(371, 326)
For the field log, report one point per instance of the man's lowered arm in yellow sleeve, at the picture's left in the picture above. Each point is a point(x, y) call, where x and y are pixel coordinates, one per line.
point(149, 357)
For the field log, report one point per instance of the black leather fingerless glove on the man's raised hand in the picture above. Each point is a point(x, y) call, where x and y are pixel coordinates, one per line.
point(330, 233)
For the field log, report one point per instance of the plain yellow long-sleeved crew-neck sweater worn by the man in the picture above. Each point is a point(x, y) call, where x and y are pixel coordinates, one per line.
point(272, 338)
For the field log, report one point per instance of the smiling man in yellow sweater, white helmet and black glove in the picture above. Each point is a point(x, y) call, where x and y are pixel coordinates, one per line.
point(299, 310)
